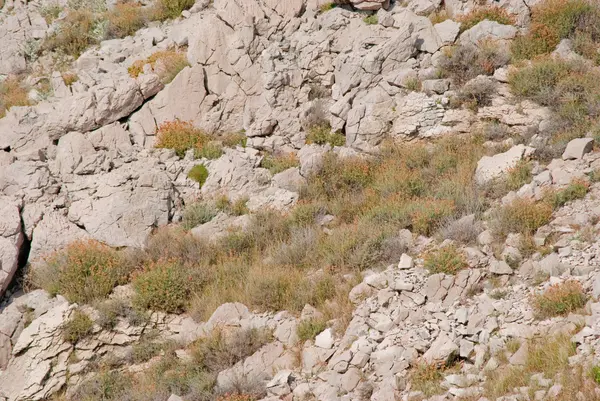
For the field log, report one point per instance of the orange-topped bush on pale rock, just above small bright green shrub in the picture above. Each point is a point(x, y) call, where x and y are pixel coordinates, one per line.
point(179, 136)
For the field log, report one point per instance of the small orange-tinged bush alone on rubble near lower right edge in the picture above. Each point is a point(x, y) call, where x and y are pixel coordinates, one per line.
point(559, 300)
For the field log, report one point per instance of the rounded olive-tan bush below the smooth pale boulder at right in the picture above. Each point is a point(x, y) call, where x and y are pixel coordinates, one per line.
point(521, 216)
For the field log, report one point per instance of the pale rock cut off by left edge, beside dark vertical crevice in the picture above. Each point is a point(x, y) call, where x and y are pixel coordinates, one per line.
point(11, 240)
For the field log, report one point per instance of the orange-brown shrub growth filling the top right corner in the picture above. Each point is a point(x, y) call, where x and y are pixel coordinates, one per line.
point(554, 20)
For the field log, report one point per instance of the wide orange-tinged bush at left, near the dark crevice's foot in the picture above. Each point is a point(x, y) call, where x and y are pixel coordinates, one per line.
point(83, 272)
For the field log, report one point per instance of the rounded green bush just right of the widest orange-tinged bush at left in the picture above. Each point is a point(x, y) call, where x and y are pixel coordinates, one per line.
point(163, 286)
